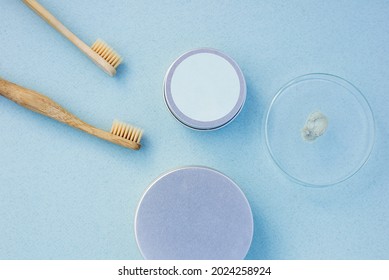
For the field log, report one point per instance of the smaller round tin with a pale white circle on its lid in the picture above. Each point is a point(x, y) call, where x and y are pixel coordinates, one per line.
point(204, 89)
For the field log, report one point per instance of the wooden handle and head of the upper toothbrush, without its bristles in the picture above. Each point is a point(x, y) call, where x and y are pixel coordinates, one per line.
point(55, 23)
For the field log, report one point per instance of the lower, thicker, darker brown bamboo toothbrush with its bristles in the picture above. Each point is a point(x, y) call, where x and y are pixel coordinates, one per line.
point(121, 134)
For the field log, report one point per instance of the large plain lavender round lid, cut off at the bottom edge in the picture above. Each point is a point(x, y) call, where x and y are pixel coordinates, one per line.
point(194, 213)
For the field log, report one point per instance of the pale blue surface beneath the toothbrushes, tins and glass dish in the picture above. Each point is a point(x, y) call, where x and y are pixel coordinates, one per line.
point(67, 195)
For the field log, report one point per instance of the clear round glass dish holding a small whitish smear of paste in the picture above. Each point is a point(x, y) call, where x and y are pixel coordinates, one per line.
point(340, 147)
